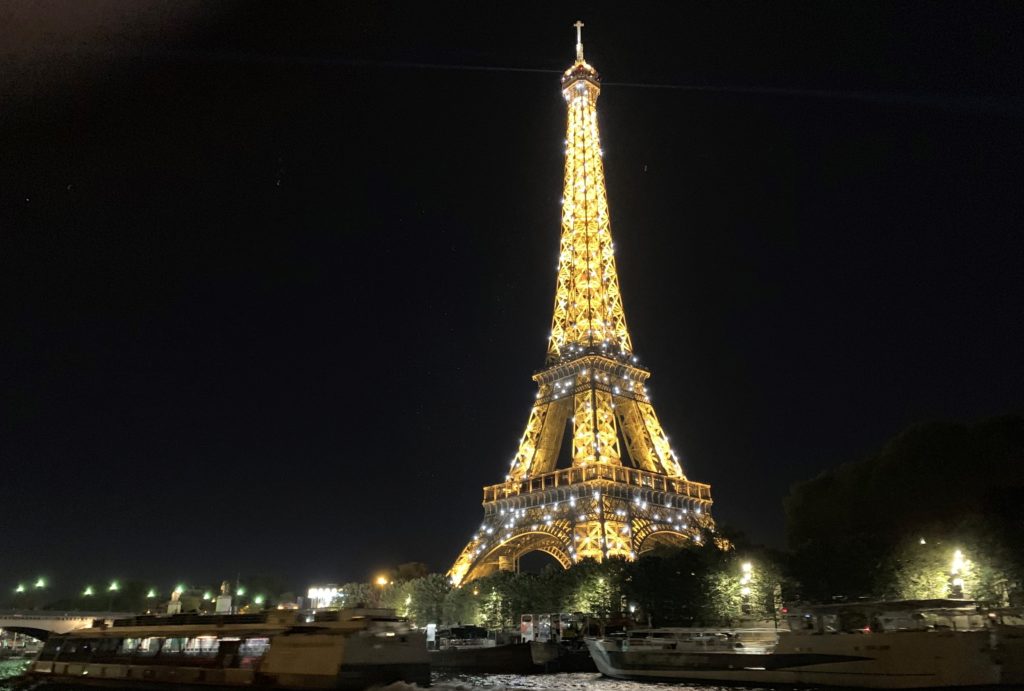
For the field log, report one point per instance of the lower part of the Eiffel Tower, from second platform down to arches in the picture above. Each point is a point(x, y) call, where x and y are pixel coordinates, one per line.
point(599, 508)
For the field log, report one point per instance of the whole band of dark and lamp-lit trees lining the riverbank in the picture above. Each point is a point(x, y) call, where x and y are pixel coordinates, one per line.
point(937, 512)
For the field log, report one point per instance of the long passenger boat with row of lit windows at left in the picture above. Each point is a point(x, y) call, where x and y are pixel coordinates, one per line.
point(339, 650)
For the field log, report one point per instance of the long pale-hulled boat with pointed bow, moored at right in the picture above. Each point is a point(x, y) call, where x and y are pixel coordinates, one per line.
point(891, 645)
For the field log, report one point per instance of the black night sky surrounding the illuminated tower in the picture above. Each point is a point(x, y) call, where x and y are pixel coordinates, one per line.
point(276, 277)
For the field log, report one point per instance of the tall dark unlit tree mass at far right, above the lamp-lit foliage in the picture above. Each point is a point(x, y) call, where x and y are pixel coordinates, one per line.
point(850, 524)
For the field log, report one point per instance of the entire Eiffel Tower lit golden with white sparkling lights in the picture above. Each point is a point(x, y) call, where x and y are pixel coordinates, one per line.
point(600, 507)
